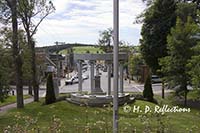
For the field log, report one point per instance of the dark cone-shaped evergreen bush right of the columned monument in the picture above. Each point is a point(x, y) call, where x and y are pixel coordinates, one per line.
point(148, 92)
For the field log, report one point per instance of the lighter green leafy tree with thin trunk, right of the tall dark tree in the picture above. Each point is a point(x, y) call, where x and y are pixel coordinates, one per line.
point(179, 46)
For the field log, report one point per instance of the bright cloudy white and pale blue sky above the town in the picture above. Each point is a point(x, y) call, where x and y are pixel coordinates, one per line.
point(80, 21)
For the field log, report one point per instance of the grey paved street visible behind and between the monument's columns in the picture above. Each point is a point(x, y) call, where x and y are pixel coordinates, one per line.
point(128, 87)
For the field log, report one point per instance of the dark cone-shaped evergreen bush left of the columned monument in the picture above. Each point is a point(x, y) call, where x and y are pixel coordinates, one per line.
point(50, 94)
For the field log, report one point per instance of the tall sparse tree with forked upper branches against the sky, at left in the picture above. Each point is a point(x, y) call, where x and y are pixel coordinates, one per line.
point(27, 10)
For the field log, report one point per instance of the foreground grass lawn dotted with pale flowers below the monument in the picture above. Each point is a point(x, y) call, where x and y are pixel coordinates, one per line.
point(70, 118)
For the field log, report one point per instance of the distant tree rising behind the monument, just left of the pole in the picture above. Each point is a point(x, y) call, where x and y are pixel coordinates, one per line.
point(105, 40)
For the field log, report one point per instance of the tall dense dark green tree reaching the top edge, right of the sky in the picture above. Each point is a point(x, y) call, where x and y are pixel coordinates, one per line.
point(158, 20)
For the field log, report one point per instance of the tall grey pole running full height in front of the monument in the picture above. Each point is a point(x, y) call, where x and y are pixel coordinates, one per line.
point(115, 59)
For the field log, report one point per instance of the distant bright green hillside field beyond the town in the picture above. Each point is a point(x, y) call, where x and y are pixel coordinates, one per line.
point(83, 50)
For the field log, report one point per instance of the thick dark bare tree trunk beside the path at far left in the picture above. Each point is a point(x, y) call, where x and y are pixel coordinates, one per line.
point(17, 56)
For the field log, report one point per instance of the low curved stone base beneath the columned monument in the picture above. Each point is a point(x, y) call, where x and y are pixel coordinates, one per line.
point(98, 100)
